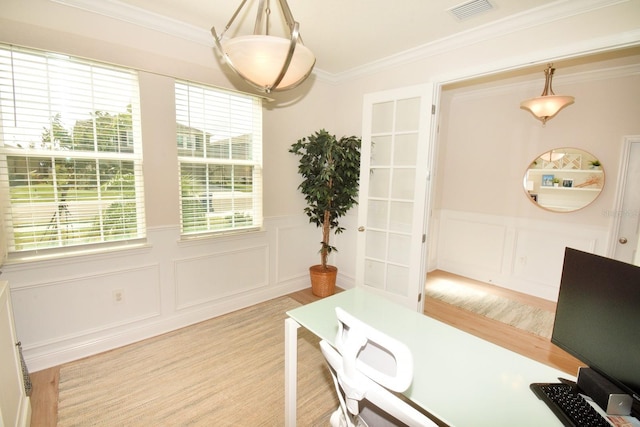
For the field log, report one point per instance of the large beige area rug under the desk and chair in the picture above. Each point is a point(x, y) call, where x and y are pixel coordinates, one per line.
point(227, 371)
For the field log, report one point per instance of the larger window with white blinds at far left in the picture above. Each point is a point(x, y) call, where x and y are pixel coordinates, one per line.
point(70, 151)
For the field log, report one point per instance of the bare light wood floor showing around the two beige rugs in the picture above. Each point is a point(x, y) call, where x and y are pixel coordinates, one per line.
point(44, 397)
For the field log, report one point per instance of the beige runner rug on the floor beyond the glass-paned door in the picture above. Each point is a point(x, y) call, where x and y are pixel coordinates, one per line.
point(522, 316)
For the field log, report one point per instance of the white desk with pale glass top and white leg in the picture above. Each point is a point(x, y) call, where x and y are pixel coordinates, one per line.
point(461, 379)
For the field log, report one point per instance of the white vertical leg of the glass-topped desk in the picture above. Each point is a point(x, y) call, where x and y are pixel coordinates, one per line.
point(290, 371)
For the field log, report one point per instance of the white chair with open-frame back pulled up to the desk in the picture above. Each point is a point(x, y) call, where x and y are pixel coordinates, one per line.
point(367, 368)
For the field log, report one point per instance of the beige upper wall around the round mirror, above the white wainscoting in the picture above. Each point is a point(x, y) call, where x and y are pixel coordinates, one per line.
point(489, 138)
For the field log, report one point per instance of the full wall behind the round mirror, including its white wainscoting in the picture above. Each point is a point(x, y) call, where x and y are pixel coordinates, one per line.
point(488, 228)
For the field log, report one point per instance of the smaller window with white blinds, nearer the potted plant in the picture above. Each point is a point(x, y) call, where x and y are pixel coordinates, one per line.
point(219, 139)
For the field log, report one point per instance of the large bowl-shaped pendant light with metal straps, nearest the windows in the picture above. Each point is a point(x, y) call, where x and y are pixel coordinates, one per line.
point(267, 62)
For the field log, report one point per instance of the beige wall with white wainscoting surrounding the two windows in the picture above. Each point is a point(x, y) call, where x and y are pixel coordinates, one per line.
point(65, 308)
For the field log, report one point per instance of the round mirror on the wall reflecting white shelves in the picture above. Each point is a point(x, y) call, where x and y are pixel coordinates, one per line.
point(564, 179)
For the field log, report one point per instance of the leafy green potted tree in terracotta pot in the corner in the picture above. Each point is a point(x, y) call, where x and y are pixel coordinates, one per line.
point(330, 170)
